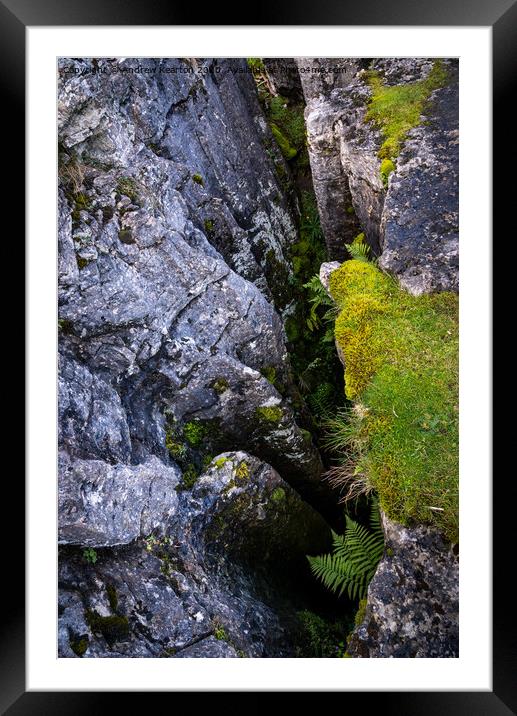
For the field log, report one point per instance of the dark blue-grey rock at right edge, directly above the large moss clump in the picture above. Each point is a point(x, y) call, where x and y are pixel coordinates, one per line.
point(420, 225)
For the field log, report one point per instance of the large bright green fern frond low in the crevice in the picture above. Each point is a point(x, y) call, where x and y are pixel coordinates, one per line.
point(354, 559)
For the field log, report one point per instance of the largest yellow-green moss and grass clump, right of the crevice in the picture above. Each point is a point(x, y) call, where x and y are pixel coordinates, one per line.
point(401, 369)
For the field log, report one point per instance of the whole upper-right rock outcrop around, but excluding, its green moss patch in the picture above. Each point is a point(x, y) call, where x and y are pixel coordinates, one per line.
point(413, 224)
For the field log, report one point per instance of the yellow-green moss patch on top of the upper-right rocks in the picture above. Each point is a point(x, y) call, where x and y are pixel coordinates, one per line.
point(397, 109)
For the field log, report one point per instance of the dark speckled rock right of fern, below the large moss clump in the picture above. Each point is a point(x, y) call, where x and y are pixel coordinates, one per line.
point(412, 608)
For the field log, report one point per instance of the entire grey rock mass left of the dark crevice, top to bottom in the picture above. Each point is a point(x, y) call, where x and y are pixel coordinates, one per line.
point(174, 235)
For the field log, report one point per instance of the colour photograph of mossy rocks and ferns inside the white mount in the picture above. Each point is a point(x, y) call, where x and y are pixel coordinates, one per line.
point(258, 376)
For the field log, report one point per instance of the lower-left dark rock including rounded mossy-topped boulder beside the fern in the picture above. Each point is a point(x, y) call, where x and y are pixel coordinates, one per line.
point(204, 588)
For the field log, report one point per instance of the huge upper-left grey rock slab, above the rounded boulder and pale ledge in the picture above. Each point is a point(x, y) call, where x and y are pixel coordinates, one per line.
point(180, 214)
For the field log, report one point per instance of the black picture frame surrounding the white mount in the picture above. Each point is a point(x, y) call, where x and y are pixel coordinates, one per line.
point(501, 15)
